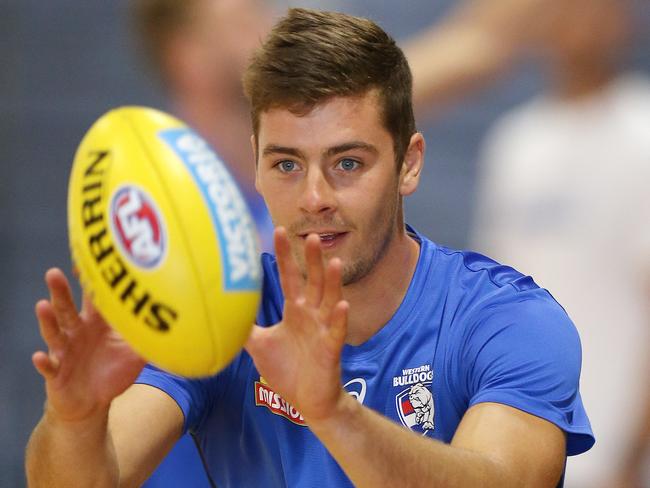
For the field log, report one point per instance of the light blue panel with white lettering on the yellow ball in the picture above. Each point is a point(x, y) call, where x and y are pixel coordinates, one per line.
point(232, 222)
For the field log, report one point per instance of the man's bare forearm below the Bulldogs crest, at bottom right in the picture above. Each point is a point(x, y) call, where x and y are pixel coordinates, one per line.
point(375, 452)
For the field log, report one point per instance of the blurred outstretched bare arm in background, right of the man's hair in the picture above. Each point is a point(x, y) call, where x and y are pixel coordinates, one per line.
point(474, 44)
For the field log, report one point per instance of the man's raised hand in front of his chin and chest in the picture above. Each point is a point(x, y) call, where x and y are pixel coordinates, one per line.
point(300, 356)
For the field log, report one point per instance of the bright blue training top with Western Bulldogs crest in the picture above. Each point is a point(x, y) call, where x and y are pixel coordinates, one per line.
point(469, 330)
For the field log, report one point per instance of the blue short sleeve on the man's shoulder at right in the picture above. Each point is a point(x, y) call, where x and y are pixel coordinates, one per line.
point(527, 354)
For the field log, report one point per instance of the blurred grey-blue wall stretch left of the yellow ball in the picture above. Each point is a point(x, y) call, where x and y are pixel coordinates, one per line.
point(62, 64)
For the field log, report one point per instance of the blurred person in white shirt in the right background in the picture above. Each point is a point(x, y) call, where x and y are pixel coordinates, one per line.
point(565, 196)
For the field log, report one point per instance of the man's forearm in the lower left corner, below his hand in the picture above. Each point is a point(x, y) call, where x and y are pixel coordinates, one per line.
point(64, 454)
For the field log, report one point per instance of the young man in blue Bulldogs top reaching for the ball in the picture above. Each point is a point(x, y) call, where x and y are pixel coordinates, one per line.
point(364, 325)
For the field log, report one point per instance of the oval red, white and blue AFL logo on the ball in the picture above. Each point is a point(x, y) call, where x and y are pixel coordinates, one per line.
point(137, 226)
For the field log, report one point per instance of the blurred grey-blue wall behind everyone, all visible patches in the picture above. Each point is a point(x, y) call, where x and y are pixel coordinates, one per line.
point(62, 64)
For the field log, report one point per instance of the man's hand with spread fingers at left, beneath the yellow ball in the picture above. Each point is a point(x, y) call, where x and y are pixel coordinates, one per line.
point(87, 363)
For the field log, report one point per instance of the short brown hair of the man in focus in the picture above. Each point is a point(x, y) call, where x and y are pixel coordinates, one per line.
point(311, 56)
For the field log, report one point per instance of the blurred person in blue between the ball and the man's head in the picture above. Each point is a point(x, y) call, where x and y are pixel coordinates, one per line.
point(198, 49)
